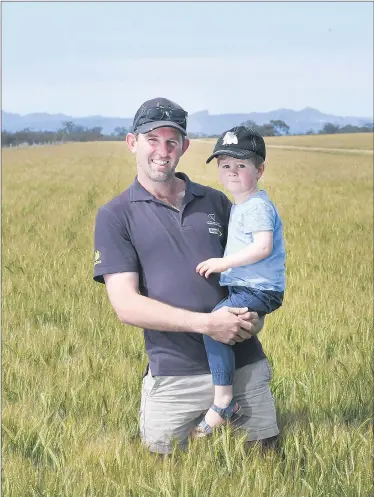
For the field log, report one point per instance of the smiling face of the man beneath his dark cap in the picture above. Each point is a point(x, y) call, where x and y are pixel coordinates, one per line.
point(158, 152)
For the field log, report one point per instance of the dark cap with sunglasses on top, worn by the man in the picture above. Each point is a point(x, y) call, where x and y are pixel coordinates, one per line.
point(158, 113)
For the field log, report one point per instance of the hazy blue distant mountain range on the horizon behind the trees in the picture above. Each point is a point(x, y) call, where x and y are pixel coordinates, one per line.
point(200, 122)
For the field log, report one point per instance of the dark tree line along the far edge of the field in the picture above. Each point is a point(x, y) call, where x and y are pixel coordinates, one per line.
point(71, 132)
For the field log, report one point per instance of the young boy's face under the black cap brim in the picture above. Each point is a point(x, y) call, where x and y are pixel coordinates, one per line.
point(238, 175)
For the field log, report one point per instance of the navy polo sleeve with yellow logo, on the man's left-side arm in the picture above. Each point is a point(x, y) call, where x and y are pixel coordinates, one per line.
point(113, 250)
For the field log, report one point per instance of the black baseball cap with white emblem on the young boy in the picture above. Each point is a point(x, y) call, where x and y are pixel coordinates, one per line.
point(240, 142)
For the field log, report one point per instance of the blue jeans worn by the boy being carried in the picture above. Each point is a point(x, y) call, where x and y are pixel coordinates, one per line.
point(221, 356)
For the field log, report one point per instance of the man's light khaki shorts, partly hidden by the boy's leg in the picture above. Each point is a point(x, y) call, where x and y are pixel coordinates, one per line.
point(171, 406)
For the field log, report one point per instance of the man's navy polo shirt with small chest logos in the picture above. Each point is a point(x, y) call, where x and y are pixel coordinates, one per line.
point(136, 232)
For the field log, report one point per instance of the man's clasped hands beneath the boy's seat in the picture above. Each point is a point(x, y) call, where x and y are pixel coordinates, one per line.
point(231, 324)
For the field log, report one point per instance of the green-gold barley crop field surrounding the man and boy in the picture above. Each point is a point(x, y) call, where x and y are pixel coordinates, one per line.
point(71, 373)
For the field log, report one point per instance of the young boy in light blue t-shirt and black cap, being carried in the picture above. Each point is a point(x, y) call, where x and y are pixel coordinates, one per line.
point(253, 264)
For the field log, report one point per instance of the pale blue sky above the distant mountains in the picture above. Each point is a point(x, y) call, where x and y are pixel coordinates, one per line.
point(87, 58)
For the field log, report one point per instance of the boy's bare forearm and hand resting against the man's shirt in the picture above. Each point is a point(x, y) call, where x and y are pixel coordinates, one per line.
point(261, 248)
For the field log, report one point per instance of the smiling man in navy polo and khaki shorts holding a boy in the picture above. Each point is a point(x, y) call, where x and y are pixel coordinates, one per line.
point(148, 242)
